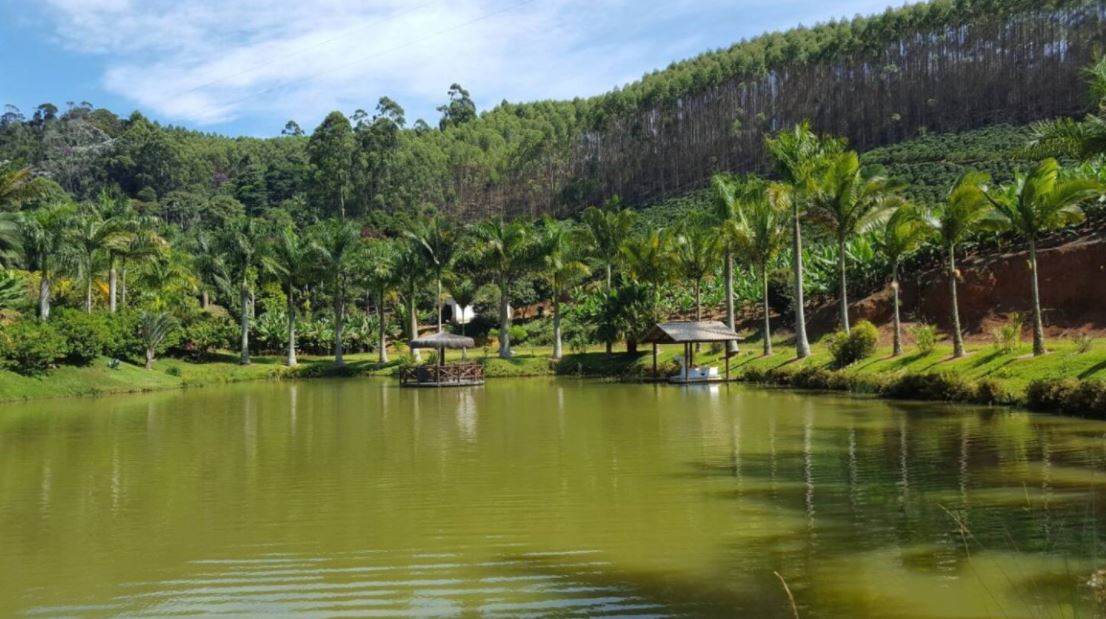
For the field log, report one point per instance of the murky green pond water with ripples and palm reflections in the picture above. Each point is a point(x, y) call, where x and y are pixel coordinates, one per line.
point(545, 499)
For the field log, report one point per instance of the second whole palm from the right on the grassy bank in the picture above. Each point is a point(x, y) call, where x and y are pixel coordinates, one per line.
point(955, 221)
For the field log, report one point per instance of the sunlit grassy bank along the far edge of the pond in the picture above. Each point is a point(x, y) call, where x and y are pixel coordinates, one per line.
point(1062, 383)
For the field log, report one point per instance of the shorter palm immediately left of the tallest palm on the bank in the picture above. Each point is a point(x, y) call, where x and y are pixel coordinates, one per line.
point(760, 234)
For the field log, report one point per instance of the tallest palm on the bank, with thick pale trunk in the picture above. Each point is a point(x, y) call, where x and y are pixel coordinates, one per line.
point(800, 156)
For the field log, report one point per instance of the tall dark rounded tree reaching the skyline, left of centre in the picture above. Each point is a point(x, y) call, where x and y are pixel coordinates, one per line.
point(331, 154)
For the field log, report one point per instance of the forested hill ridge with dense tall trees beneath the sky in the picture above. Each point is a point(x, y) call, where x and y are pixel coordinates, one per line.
point(940, 67)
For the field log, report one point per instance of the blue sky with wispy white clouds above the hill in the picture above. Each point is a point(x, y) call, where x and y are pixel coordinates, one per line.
point(247, 67)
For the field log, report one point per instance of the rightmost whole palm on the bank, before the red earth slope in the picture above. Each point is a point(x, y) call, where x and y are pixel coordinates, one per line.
point(1038, 203)
